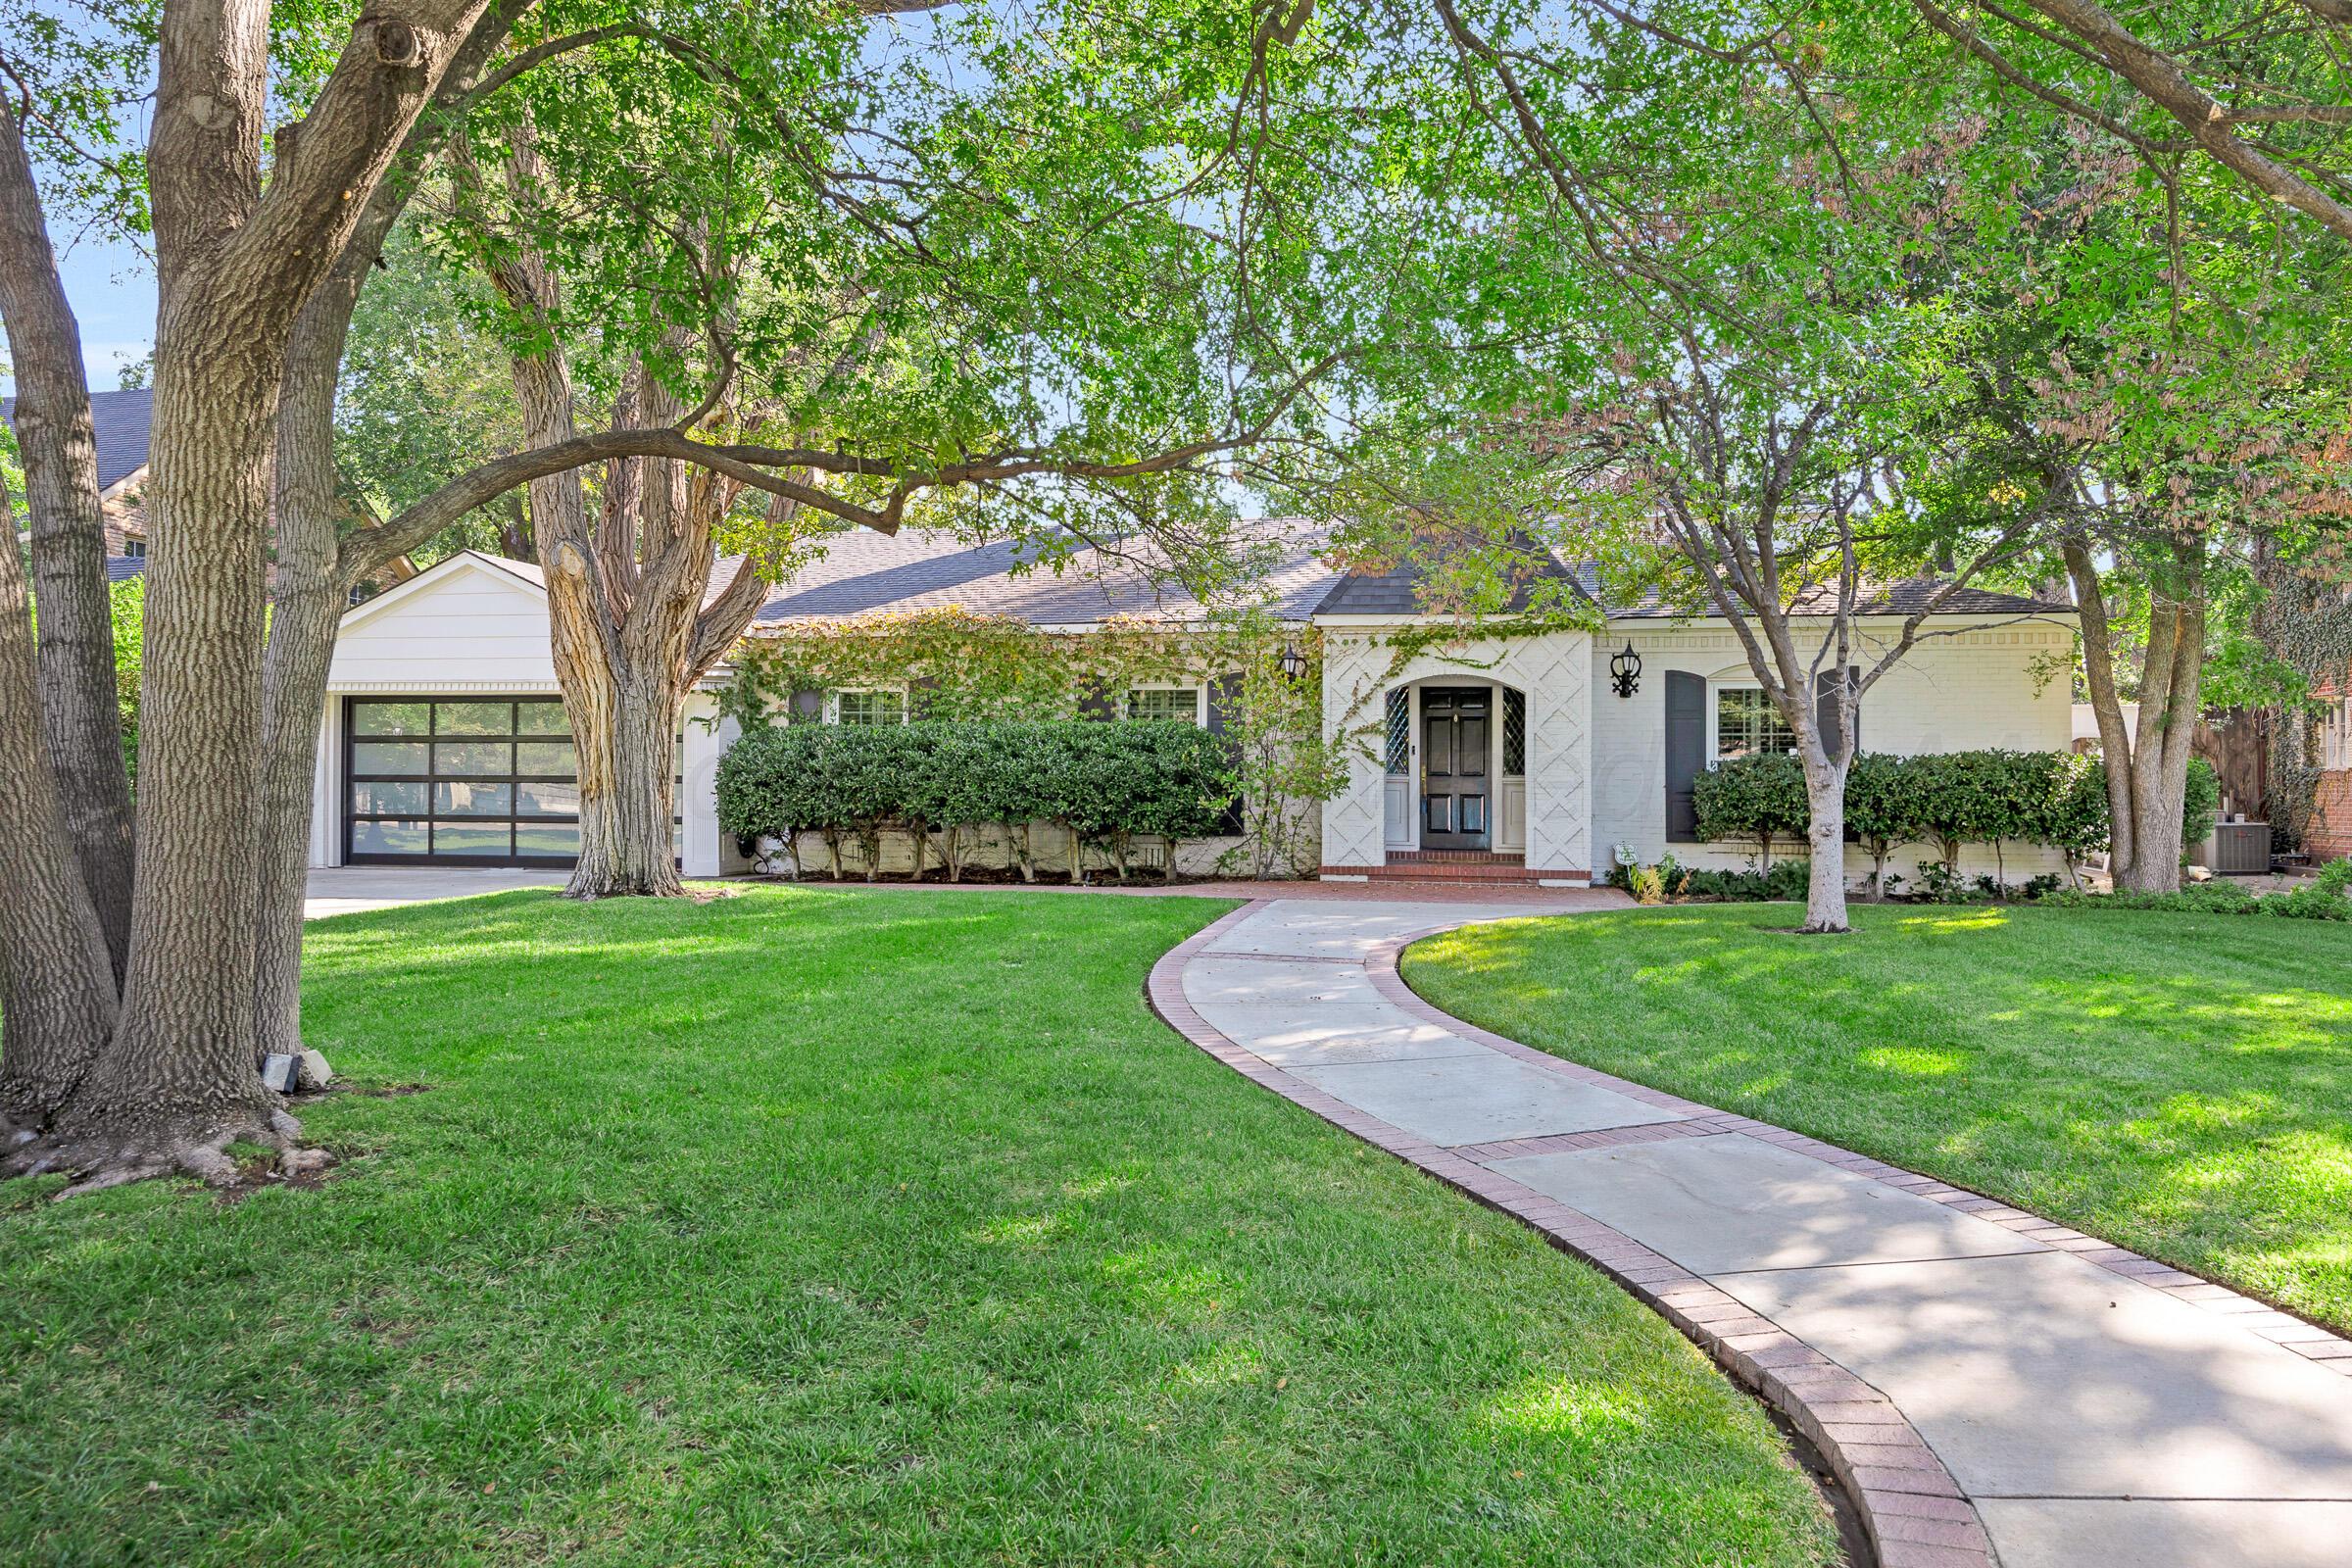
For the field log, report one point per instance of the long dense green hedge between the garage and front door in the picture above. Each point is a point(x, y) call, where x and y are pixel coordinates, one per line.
point(944, 784)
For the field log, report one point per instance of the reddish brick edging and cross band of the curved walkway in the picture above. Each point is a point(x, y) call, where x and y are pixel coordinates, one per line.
point(1909, 1503)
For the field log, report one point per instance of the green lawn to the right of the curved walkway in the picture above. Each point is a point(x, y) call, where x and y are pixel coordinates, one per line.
point(2172, 1083)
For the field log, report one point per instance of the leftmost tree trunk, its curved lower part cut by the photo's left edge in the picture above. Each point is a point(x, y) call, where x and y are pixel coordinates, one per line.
point(58, 993)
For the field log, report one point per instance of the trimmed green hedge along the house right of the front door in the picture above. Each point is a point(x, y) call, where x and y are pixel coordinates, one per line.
point(1939, 798)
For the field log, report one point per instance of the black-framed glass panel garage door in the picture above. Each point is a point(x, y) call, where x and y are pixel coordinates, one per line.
point(479, 782)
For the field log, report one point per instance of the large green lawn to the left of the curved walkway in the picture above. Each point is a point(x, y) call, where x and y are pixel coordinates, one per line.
point(834, 1228)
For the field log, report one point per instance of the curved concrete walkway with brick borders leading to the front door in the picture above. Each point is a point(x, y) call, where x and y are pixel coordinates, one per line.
point(1991, 1388)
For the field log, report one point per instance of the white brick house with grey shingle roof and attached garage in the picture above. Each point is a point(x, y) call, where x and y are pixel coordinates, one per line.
point(1514, 756)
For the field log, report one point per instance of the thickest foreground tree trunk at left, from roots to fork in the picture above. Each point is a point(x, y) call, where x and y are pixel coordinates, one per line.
point(180, 1078)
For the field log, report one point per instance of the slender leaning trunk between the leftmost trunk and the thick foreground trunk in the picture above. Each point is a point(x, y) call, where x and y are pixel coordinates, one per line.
point(76, 655)
